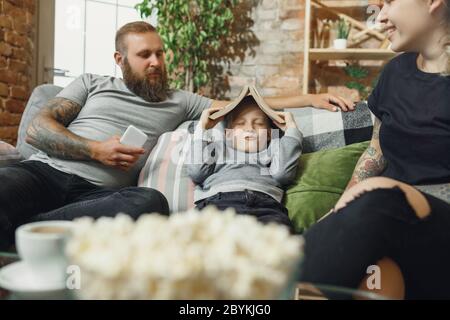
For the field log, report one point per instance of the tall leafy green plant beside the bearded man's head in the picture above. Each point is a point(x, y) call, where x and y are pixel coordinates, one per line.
point(192, 32)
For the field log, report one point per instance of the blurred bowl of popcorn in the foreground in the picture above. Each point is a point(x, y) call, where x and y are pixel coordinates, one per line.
point(210, 254)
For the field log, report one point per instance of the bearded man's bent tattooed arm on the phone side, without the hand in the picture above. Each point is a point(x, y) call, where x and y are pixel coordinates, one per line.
point(48, 131)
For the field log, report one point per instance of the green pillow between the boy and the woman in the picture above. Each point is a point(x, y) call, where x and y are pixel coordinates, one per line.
point(321, 179)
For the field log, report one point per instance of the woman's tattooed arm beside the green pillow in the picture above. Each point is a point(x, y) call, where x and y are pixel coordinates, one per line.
point(372, 161)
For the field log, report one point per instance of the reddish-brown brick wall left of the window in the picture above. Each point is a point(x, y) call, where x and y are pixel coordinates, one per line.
point(16, 59)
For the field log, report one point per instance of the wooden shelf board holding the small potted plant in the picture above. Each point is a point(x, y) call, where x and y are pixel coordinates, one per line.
point(351, 54)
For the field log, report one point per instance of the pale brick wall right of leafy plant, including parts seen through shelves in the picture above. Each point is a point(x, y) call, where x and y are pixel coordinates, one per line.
point(277, 66)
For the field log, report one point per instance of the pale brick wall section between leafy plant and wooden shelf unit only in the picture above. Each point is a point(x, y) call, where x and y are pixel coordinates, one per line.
point(277, 64)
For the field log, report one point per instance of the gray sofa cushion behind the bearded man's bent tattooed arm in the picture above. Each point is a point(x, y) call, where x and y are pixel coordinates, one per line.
point(38, 99)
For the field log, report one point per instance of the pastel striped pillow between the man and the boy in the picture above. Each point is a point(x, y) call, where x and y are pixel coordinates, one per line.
point(165, 170)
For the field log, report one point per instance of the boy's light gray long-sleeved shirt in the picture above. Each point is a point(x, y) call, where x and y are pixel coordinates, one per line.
point(215, 166)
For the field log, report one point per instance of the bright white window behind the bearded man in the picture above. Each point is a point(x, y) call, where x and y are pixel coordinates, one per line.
point(84, 36)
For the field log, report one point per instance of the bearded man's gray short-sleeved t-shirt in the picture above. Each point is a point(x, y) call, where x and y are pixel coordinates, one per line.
point(108, 108)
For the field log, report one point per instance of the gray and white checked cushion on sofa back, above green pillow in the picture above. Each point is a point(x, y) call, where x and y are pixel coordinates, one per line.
point(324, 130)
